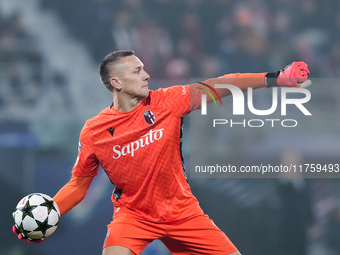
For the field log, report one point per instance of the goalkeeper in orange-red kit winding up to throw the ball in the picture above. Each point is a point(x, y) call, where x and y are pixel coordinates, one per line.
point(137, 141)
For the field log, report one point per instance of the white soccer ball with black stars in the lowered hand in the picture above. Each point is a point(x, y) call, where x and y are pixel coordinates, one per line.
point(36, 216)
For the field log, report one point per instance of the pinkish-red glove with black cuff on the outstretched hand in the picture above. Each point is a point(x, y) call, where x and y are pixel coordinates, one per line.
point(293, 75)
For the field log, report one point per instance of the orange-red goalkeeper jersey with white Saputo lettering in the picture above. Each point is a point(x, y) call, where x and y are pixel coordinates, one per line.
point(141, 154)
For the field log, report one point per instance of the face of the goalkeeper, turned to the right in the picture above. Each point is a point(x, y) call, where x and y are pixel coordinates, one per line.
point(133, 78)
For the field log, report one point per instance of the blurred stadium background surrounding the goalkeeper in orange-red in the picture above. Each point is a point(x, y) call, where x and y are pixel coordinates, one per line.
point(49, 85)
